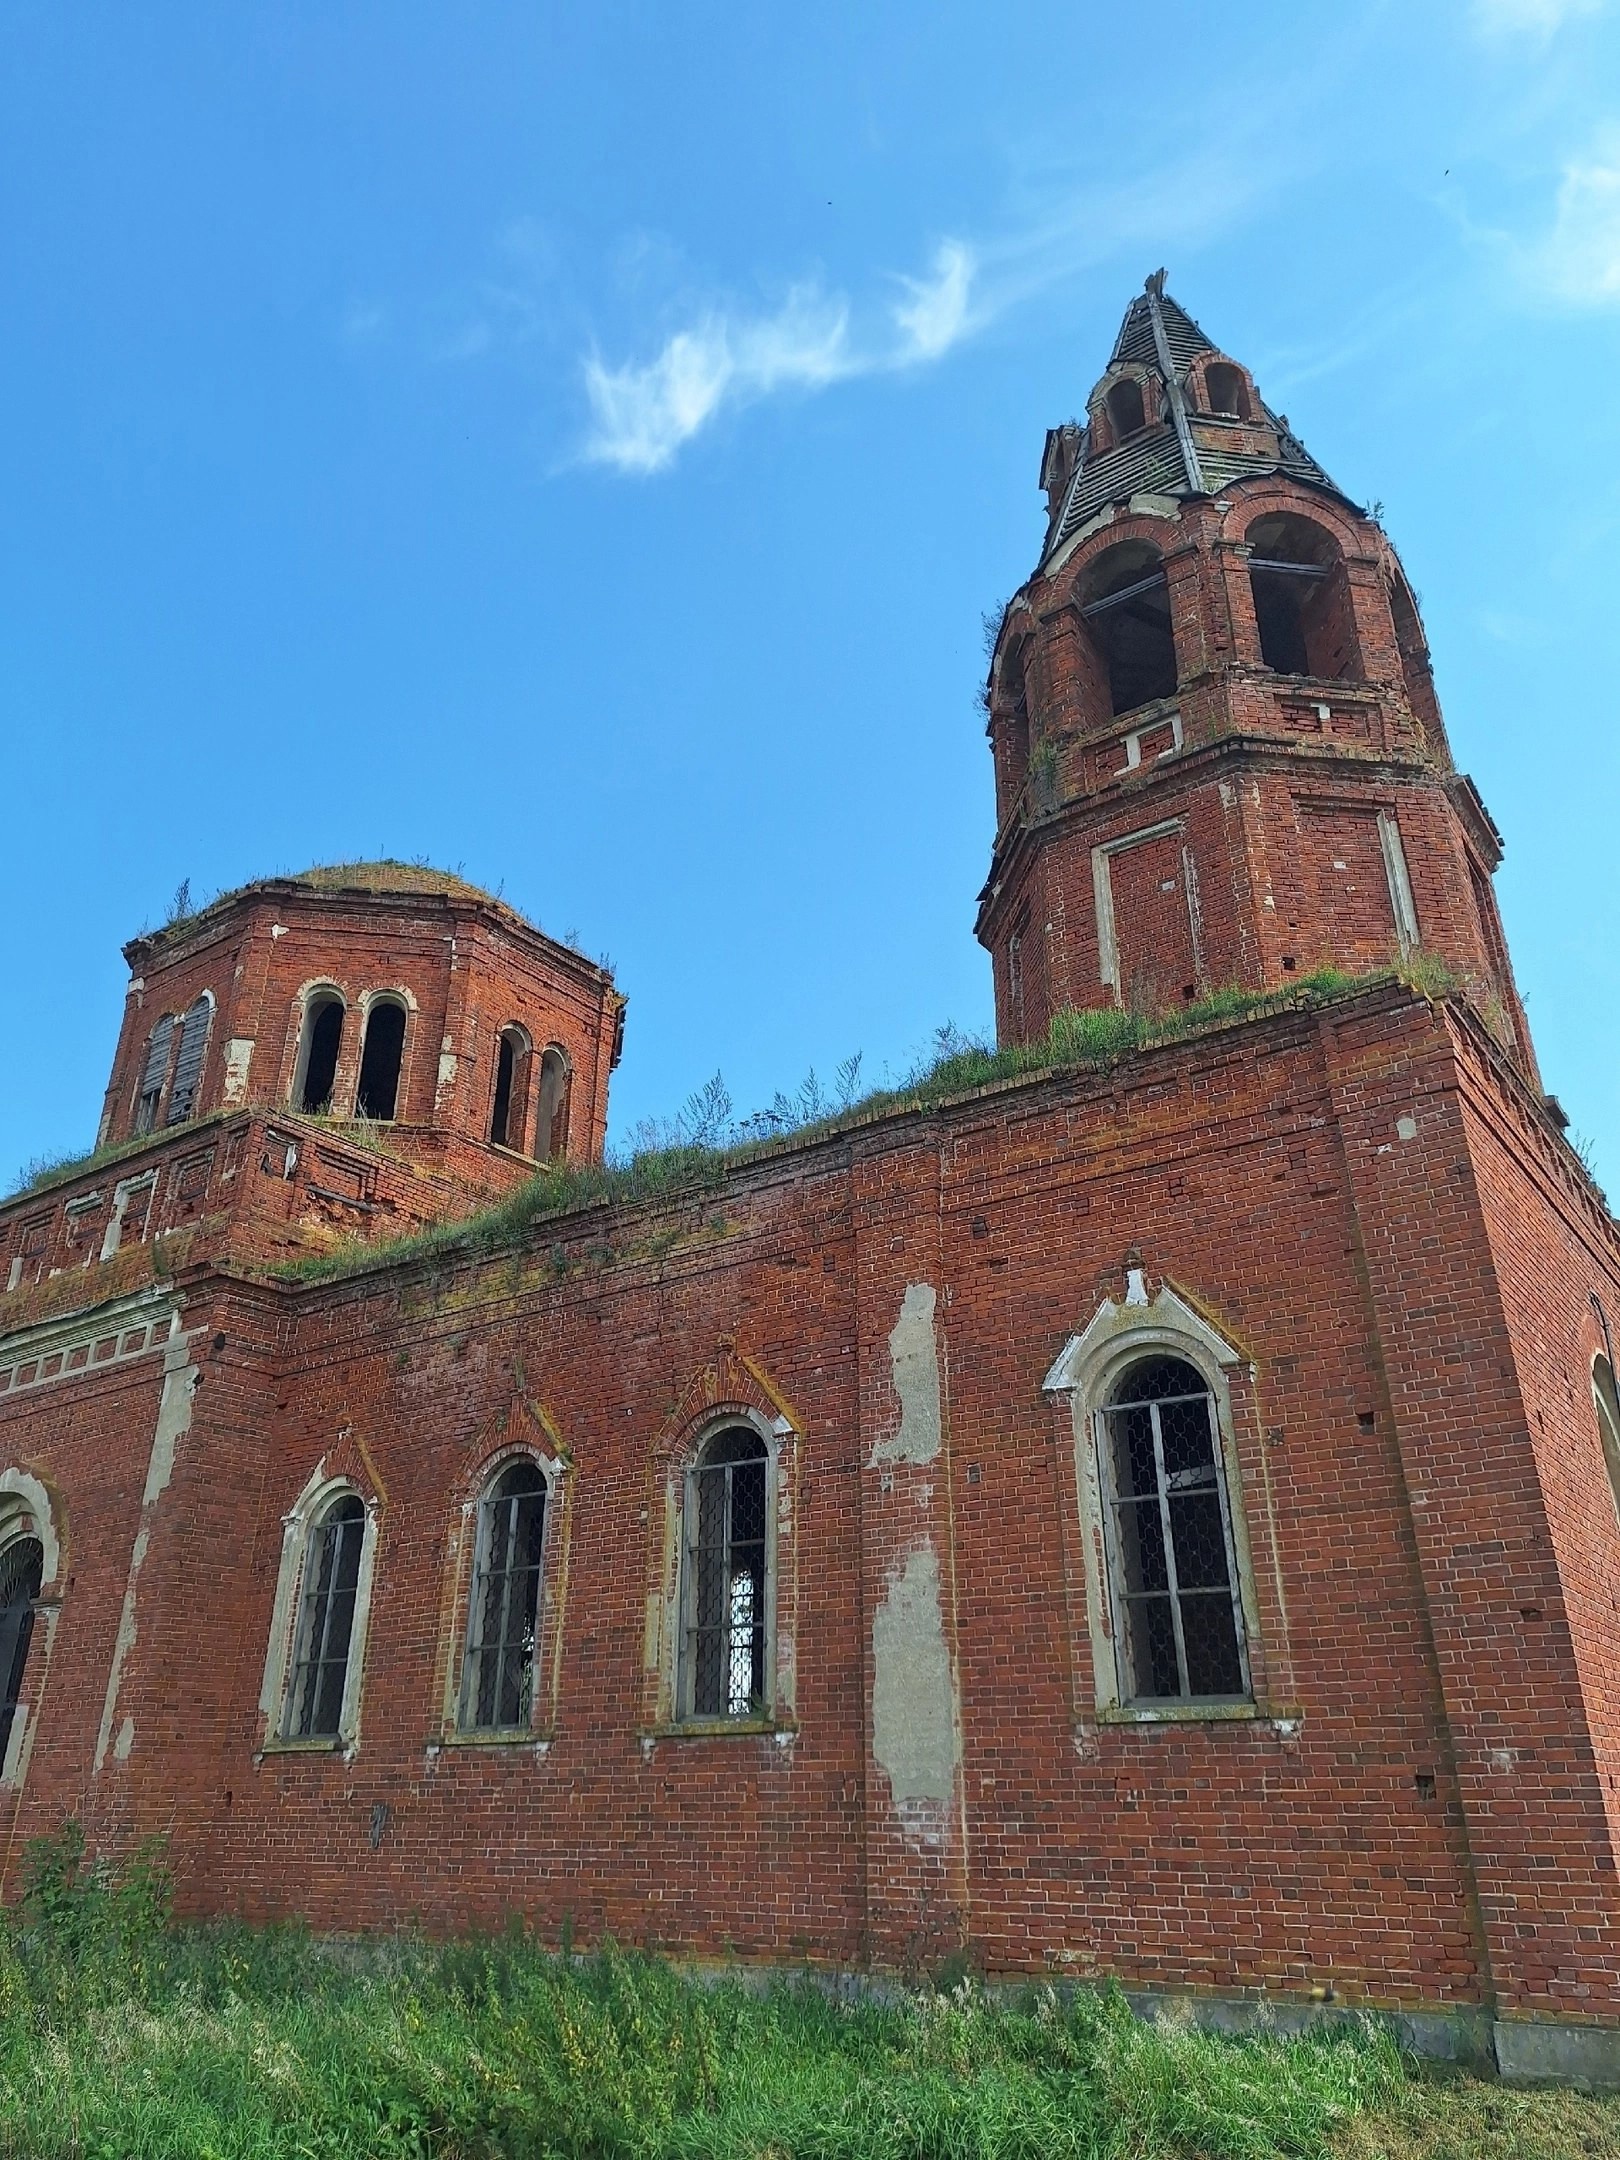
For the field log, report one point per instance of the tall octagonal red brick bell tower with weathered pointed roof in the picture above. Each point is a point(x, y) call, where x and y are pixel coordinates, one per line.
point(1219, 755)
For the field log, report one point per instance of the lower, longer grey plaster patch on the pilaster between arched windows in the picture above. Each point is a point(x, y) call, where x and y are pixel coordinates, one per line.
point(915, 1699)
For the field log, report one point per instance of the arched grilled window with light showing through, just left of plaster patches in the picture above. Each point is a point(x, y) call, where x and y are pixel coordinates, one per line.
point(727, 1580)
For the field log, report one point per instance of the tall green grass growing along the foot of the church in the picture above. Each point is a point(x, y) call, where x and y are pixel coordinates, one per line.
point(122, 2038)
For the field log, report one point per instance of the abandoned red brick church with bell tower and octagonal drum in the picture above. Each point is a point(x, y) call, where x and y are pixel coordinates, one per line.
point(1144, 1517)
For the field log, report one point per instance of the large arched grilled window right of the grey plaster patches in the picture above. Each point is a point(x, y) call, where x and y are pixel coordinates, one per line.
point(1170, 1539)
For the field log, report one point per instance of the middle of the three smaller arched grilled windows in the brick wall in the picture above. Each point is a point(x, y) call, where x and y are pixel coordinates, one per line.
point(504, 1615)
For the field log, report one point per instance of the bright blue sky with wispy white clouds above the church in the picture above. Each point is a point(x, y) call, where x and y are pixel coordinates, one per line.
point(578, 446)
